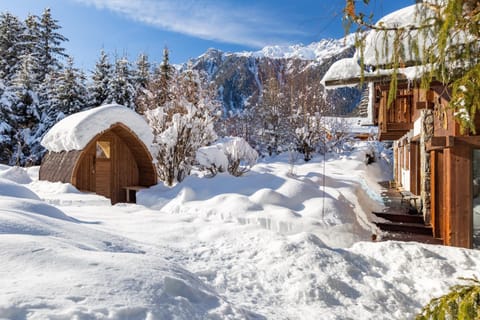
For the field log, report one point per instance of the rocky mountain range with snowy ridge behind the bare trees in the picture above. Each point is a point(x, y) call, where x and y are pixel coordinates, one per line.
point(240, 78)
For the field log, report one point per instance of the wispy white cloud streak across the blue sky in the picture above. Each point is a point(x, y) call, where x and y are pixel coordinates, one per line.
point(221, 21)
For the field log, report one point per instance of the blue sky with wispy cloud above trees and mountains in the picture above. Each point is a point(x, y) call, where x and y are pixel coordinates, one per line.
point(189, 27)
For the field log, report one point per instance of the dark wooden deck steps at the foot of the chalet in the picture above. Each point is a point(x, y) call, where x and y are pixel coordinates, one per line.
point(400, 219)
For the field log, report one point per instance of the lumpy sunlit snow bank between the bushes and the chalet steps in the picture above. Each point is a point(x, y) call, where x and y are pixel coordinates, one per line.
point(276, 200)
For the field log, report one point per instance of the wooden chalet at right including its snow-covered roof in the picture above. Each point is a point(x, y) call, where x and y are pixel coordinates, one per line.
point(434, 162)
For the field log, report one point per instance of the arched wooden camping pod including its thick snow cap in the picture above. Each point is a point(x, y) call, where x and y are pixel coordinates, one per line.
point(103, 150)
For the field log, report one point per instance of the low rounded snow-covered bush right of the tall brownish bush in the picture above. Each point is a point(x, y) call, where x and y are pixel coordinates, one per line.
point(231, 153)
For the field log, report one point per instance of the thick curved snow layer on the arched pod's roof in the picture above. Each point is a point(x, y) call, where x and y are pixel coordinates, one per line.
point(77, 130)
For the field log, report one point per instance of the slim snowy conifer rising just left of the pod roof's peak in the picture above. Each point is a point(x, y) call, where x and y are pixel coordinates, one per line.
point(99, 88)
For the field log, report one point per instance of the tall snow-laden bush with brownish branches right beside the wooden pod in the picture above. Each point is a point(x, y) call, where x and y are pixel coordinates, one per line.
point(181, 110)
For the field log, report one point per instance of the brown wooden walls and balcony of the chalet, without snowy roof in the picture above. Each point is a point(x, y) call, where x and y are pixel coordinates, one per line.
point(433, 160)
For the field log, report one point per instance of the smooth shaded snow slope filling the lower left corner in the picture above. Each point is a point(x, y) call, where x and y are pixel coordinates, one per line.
point(55, 266)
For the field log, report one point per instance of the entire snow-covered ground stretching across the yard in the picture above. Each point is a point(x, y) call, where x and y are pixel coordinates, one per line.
point(268, 245)
